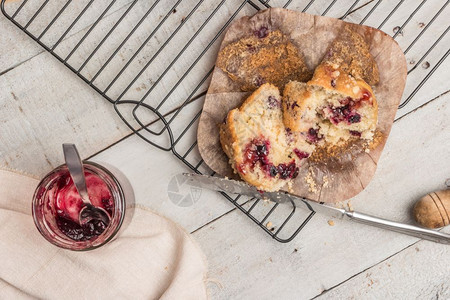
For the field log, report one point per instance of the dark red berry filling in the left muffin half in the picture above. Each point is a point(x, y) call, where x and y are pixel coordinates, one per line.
point(257, 152)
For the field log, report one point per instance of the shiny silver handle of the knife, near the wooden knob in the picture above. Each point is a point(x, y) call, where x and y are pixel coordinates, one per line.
point(423, 233)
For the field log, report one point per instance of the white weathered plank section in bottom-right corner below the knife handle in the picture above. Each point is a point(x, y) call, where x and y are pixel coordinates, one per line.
point(418, 272)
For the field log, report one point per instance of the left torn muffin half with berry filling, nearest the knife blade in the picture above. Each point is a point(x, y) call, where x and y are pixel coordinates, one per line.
point(259, 147)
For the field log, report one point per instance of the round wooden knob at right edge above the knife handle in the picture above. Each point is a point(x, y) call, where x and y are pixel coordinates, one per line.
point(433, 210)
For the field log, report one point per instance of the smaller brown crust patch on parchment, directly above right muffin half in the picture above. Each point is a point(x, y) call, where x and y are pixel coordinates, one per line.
point(351, 53)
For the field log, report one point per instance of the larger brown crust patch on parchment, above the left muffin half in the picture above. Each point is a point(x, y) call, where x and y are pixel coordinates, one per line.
point(265, 57)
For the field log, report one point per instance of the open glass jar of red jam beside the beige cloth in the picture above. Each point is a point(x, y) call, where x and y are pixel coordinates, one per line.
point(56, 205)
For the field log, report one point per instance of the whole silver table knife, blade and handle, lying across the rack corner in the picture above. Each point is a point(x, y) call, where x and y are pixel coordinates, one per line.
point(242, 188)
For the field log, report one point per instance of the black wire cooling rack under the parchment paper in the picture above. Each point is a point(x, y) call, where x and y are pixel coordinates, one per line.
point(153, 61)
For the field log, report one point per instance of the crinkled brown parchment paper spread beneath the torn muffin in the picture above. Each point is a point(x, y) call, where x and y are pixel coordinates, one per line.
point(345, 175)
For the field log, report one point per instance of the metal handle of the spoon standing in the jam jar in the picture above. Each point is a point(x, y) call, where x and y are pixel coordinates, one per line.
point(76, 170)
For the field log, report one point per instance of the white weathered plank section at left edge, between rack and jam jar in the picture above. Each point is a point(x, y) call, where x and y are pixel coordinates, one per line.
point(46, 107)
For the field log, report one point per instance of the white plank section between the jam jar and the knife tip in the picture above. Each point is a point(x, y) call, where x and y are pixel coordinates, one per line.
point(158, 184)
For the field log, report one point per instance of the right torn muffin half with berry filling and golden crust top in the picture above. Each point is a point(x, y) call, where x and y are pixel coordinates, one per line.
point(330, 114)
